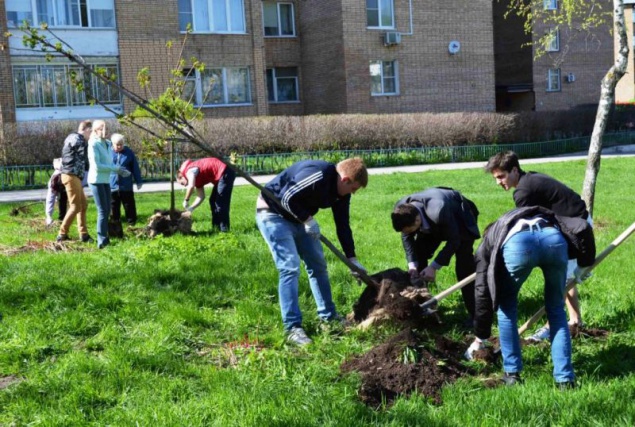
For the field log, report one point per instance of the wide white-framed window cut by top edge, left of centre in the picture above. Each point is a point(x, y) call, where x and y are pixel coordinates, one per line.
point(196, 18)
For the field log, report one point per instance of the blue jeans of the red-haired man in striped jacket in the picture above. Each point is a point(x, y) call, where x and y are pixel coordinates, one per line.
point(288, 243)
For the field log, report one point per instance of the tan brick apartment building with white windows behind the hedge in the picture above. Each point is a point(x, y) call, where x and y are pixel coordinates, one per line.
point(296, 57)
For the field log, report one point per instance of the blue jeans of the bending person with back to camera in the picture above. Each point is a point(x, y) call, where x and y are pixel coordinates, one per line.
point(545, 248)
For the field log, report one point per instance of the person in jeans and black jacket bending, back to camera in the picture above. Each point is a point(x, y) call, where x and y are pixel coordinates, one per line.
point(512, 247)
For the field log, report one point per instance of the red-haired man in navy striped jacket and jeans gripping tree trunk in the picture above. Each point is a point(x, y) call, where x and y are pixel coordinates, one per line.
point(288, 227)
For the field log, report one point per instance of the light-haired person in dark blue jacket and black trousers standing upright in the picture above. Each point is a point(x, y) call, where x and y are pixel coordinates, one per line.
point(121, 187)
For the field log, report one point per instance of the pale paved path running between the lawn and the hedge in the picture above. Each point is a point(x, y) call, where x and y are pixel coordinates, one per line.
point(153, 187)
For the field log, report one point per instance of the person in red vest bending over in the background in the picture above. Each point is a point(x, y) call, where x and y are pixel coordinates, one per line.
point(195, 175)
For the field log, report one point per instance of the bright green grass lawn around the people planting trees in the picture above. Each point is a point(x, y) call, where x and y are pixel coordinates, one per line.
point(186, 330)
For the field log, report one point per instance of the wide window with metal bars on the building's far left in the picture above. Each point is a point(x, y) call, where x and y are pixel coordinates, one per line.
point(73, 99)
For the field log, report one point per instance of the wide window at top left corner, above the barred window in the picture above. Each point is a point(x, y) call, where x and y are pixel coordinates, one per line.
point(84, 14)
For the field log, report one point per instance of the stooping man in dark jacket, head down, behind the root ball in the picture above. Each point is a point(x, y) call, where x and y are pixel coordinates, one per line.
point(430, 217)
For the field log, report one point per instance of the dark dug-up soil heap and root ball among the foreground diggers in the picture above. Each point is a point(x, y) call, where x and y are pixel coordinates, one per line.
point(416, 359)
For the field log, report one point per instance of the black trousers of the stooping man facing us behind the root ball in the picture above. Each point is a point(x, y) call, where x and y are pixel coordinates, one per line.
point(427, 245)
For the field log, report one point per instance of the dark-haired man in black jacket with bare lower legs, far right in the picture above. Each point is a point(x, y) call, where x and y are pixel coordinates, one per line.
point(536, 189)
